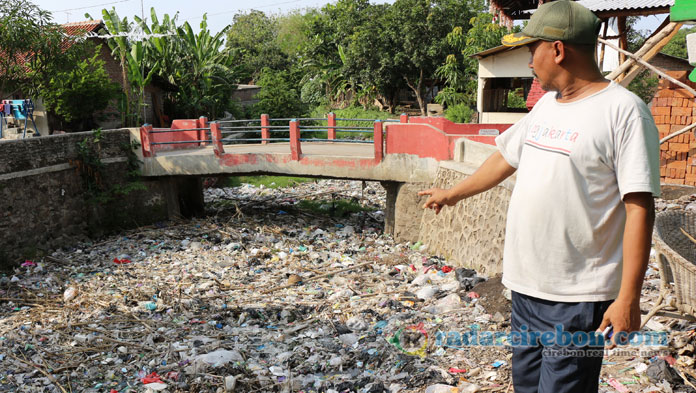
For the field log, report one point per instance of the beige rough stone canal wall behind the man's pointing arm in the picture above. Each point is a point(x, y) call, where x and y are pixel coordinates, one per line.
point(470, 234)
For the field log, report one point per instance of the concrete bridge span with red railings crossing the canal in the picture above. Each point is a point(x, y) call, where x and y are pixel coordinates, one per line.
point(404, 150)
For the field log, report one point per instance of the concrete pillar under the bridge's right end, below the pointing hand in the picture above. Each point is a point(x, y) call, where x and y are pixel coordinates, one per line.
point(404, 210)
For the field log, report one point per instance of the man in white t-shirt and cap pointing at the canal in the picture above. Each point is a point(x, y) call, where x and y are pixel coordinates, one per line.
point(580, 218)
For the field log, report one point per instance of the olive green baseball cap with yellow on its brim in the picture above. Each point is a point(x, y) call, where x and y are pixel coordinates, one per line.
point(560, 20)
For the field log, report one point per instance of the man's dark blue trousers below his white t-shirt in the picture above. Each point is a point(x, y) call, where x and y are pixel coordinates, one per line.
point(537, 368)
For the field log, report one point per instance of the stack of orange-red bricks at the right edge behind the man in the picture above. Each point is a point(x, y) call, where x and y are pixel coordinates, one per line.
point(673, 109)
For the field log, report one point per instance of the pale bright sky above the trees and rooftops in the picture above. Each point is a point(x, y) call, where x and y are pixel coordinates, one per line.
point(220, 13)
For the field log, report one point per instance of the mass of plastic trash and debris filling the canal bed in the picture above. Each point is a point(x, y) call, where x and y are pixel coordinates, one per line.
point(268, 293)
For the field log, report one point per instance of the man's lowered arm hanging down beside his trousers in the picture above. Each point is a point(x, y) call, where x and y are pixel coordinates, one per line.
point(624, 313)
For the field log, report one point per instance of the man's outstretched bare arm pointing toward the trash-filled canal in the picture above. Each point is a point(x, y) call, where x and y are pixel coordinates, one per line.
point(493, 171)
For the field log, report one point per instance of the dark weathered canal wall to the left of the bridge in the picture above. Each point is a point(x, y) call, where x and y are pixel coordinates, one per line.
point(43, 204)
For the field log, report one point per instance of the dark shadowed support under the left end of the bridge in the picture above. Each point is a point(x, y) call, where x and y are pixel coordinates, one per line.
point(184, 196)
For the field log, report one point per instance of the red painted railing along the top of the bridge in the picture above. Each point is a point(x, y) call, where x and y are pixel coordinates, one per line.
point(421, 136)
